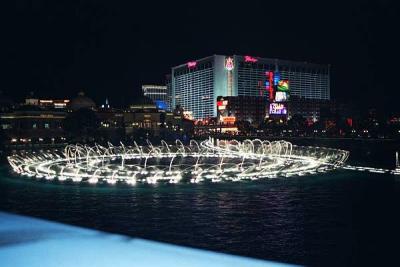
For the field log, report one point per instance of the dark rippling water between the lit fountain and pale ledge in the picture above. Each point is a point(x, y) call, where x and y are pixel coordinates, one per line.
point(339, 219)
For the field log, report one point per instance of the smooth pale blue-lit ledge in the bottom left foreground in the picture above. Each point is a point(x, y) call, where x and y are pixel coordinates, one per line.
point(32, 242)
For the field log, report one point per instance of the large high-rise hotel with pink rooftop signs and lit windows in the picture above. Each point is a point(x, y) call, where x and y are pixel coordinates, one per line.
point(196, 84)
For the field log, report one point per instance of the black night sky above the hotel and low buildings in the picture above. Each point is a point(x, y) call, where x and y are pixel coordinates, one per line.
point(109, 48)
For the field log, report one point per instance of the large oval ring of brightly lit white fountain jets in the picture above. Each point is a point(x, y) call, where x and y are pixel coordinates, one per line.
point(222, 160)
